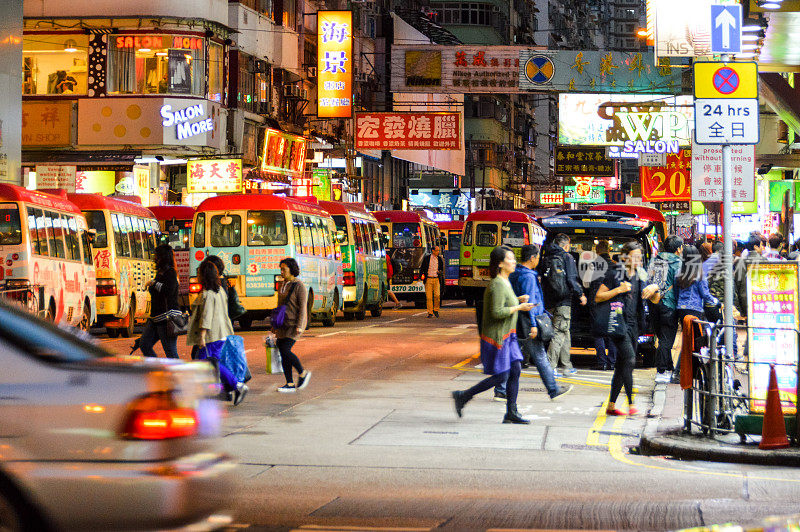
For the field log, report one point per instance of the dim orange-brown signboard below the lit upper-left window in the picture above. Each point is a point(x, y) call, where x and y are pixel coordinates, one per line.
point(46, 124)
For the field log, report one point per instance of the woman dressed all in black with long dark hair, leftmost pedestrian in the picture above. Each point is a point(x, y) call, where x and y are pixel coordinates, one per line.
point(163, 304)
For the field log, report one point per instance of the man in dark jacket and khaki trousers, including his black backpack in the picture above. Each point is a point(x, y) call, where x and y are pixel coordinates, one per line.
point(561, 284)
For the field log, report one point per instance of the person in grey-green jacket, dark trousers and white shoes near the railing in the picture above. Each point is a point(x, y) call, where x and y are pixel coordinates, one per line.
point(663, 270)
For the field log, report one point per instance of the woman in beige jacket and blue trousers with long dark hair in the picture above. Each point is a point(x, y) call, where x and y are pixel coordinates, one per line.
point(210, 325)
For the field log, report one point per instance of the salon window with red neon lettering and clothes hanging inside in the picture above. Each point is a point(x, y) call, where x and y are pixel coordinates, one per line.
point(157, 64)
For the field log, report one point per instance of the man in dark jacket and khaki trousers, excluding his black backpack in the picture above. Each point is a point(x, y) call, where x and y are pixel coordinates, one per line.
point(561, 309)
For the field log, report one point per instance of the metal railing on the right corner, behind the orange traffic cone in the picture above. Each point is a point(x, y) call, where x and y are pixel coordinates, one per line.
point(721, 380)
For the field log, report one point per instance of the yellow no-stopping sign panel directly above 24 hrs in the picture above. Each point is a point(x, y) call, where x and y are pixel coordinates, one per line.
point(725, 80)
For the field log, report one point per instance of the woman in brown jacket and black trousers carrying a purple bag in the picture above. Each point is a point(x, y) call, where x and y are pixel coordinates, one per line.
point(294, 295)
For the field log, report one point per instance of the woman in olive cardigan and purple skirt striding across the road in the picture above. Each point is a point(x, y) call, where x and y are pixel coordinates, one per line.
point(500, 353)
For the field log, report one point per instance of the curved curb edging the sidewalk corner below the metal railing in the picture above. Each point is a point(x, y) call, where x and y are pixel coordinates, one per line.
point(674, 442)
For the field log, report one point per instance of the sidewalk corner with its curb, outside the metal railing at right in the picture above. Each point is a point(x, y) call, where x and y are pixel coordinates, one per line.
point(663, 435)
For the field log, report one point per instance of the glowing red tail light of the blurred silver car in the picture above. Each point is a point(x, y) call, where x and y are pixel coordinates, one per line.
point(157, 417)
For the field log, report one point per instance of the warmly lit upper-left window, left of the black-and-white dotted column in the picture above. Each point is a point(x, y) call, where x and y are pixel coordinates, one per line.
point(54, 64)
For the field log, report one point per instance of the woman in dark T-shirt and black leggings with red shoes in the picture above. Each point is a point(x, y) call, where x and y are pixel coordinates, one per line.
point(625, 288)
